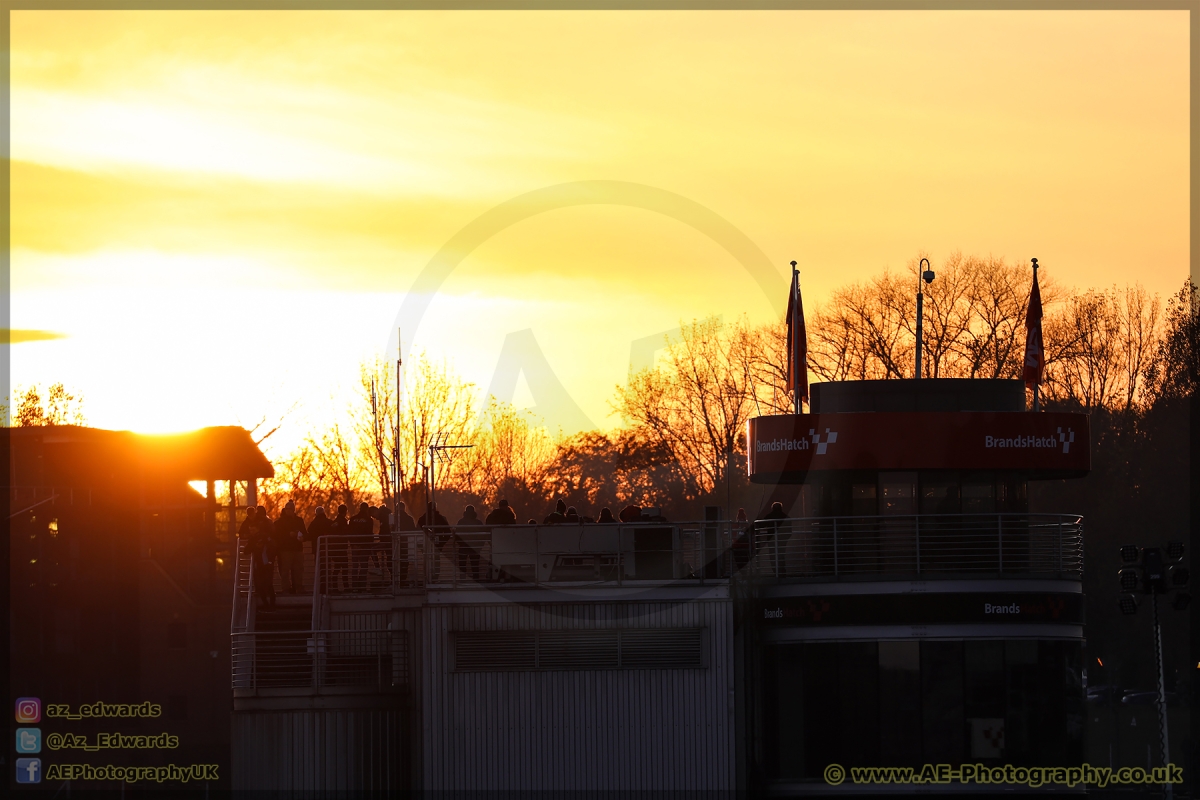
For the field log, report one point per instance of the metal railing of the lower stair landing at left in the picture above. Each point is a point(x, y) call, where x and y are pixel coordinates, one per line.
point(320, 660)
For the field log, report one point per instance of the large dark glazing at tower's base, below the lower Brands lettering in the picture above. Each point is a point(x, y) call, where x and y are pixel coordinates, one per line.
point(908, 703)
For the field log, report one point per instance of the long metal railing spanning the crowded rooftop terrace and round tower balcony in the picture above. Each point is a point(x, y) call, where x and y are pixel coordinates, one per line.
point(617, 555)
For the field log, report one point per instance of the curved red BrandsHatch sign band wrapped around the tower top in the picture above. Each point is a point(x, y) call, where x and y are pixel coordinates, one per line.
point(785, 448)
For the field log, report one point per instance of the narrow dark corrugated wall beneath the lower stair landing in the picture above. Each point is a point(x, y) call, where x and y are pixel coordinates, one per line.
point(338, 750)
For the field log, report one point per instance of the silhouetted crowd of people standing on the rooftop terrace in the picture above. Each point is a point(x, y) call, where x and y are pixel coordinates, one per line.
point(280, 544)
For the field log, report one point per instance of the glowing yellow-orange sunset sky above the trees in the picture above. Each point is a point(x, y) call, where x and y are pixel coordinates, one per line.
point(219, 214)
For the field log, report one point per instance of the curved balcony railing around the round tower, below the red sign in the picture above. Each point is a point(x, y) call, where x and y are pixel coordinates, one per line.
point(922, 545)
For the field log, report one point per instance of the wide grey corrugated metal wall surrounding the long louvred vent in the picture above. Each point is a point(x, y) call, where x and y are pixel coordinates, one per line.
point(580, 730)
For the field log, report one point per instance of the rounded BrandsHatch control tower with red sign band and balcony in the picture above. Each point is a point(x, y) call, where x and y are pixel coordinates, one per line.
point(911, 610)
